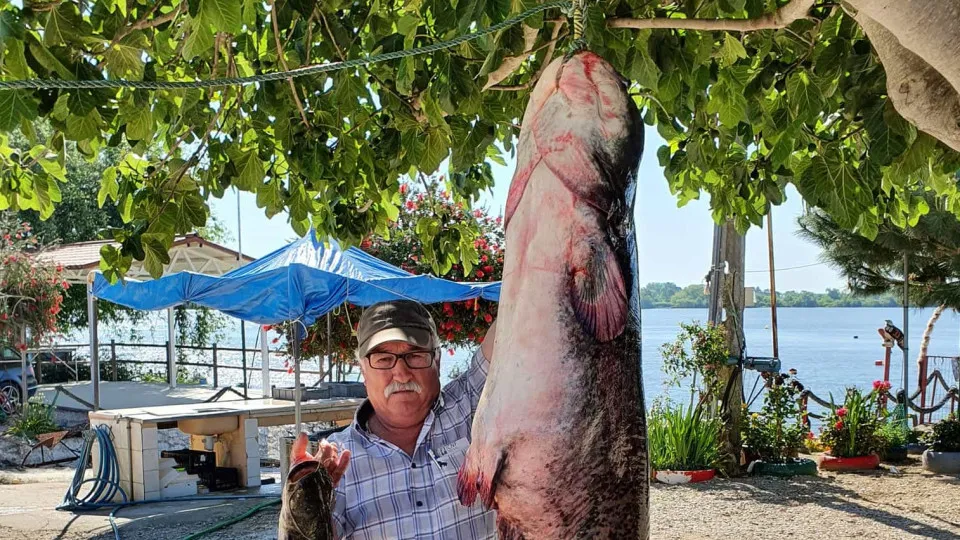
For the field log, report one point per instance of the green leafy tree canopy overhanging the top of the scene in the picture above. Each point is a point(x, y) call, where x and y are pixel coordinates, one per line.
point(749, 95)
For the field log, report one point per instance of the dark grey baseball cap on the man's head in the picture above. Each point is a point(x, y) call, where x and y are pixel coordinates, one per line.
point(396, 320)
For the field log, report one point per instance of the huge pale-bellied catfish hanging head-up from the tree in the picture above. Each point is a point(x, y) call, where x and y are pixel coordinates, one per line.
point(559, 436)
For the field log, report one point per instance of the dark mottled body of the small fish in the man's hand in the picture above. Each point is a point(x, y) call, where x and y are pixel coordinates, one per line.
point(307, 503)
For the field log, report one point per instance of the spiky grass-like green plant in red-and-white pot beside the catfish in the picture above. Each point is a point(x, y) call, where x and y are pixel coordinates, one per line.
point(684, 443)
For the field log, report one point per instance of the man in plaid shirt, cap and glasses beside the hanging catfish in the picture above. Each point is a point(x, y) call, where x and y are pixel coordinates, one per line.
point(397, 474)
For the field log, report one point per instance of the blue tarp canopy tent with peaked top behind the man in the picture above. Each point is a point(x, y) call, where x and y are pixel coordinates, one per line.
point(301, 281)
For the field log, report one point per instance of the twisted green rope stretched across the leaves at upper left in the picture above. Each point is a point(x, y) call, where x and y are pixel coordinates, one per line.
point(281, 75)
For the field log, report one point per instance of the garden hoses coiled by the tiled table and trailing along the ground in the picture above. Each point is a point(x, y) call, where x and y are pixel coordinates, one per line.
point(106, 485)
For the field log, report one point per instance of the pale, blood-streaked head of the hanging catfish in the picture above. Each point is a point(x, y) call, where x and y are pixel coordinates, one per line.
point(583, 125)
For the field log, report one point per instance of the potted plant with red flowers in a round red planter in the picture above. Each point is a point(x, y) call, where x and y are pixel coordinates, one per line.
point(850, 433)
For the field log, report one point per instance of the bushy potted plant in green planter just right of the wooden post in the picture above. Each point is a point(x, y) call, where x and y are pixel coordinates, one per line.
point(775, 434)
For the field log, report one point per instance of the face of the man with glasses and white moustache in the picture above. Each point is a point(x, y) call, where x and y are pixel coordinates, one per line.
point(401, 397)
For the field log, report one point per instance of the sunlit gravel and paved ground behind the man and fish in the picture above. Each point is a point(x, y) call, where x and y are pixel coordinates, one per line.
point(890, 503)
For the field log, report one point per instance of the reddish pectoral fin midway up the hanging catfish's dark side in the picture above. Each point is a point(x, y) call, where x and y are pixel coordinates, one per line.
point(598, 292)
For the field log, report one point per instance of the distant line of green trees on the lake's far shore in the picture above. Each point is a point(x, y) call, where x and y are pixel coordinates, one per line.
point(669, 295)
